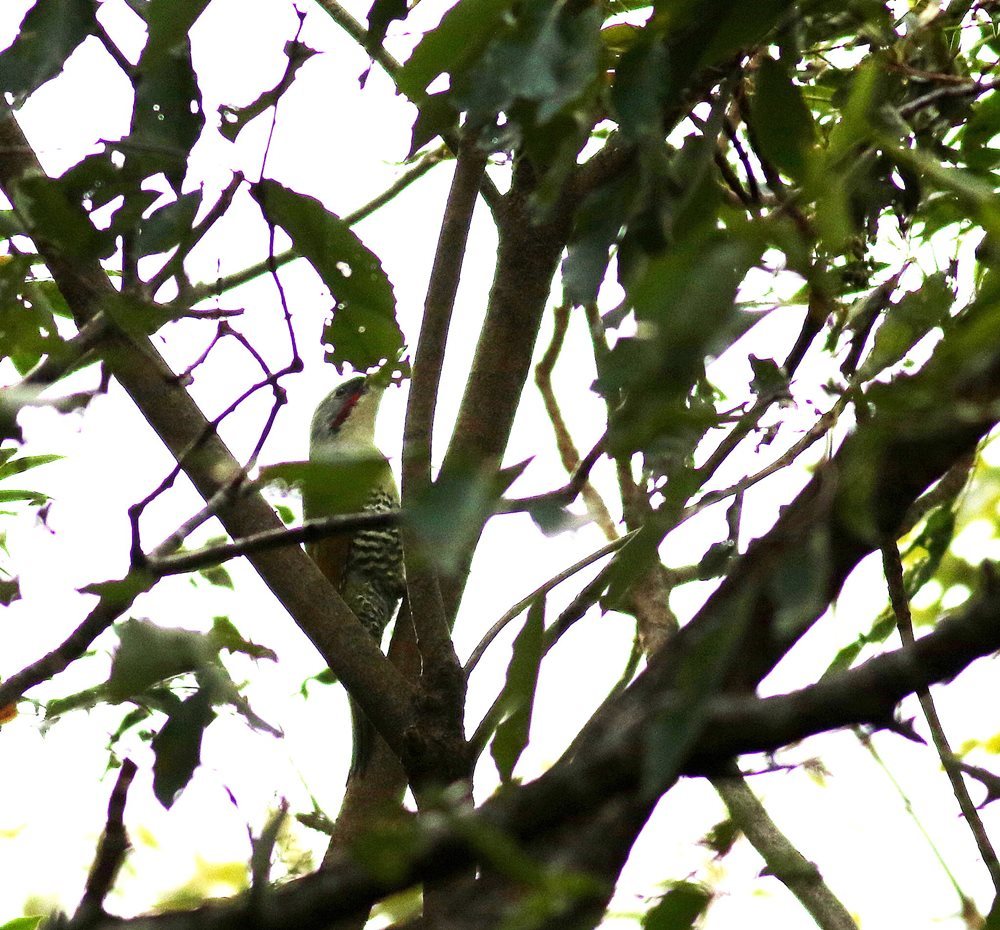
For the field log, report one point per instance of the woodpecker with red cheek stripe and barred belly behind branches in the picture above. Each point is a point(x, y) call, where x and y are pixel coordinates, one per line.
point(353, 476)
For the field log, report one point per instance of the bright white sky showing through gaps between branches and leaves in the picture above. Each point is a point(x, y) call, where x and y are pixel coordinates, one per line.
point(344, 146)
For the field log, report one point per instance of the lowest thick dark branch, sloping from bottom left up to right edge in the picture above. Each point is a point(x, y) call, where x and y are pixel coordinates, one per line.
point(605, 780)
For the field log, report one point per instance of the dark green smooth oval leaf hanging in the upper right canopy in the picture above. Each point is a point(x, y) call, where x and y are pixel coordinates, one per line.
point(782, 121)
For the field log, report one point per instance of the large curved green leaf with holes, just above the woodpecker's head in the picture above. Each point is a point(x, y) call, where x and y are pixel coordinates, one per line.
point(363, 330)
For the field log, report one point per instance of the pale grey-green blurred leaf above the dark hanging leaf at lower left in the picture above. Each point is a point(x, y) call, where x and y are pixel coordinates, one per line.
point(148, 654)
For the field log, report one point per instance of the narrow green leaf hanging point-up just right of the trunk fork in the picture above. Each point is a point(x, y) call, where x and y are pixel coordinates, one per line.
point(518, 695)
